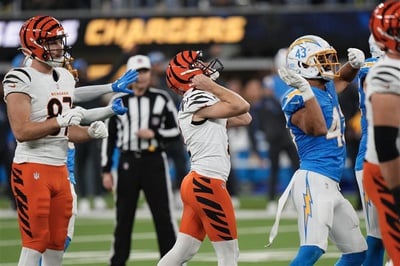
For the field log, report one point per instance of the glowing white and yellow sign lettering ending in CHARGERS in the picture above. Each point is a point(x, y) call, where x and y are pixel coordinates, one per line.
point(125, 32)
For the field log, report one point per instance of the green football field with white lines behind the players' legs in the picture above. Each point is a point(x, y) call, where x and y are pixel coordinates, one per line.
point(93, 236)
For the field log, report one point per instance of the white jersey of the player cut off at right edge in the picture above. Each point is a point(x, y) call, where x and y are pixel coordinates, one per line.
point(383, 77)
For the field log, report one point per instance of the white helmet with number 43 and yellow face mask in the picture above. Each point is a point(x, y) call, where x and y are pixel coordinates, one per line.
point(314, 58)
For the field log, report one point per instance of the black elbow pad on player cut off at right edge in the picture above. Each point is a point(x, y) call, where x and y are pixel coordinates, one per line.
point(385, 143)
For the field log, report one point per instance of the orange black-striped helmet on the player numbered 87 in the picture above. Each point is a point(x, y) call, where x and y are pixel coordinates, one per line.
point(35, 35)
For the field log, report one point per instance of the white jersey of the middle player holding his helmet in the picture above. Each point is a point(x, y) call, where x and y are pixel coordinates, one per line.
point(206, 141)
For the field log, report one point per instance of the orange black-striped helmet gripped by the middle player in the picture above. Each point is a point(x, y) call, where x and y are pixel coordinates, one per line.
point(185, 65)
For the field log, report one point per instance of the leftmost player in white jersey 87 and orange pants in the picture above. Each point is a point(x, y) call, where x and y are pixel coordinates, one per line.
point(39, 101)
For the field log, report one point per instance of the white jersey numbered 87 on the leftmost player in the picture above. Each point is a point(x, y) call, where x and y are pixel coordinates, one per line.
point(51, 94)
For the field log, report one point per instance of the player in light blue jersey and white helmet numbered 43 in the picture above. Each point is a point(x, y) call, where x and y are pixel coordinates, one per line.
point(317, 124)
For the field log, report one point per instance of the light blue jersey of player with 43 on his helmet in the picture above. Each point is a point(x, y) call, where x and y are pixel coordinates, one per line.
point(325, 155)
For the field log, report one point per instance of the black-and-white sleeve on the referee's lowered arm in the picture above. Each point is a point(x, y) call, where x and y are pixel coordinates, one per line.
point(109, 144)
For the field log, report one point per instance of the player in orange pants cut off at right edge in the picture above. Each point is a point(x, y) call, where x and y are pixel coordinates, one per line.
point(382, 184)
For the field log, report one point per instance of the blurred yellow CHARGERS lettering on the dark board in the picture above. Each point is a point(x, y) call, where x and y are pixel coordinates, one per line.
point(194, 30)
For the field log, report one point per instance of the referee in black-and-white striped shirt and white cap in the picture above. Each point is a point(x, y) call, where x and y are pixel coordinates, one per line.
point(140, 136)
